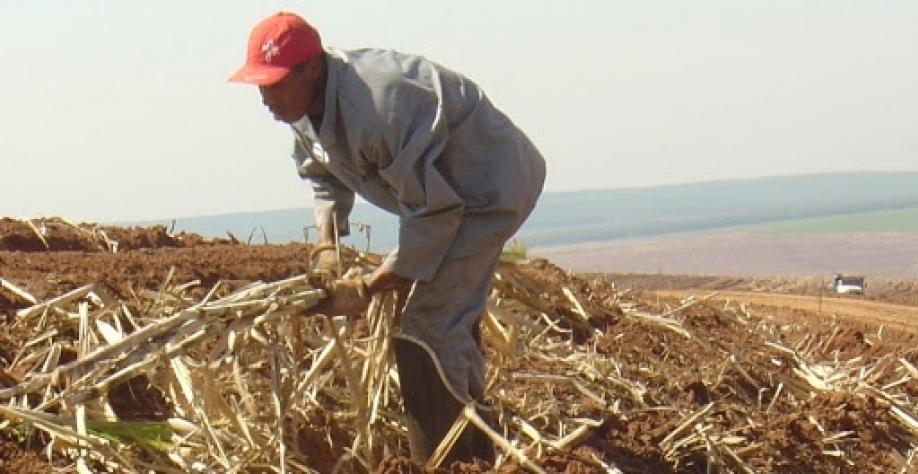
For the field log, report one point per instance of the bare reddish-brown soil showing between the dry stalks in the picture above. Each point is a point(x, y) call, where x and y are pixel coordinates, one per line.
point(686, 376)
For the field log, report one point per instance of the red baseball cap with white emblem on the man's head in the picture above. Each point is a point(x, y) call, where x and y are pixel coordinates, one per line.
point(276, 45)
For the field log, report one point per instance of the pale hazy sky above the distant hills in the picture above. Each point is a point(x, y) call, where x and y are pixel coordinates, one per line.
point(121, 110)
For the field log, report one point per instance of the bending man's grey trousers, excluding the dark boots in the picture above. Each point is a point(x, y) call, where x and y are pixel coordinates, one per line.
point(443, 314)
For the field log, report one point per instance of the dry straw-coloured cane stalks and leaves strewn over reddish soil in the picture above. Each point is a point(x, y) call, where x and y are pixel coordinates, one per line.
point(246, 378)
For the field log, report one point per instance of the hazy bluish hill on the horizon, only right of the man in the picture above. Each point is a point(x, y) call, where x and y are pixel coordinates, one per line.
point(590, 216)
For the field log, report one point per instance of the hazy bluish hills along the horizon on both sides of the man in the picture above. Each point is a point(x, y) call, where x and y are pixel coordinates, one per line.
point(609, 214)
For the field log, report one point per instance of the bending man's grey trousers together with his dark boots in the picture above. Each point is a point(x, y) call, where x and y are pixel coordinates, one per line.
point(440, 362)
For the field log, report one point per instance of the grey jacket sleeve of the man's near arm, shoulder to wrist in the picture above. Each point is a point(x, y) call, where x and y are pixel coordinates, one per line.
point(431, 210)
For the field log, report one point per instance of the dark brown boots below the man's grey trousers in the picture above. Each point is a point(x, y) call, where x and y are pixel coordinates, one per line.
point(431, 409)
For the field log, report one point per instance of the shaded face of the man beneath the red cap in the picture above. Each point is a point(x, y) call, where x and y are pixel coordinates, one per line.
point(296, 94)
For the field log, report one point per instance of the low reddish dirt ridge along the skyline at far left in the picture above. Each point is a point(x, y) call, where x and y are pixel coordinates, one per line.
point(55, 234)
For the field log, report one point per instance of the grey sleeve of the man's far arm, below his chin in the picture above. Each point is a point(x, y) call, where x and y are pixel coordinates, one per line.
point(330, 197)
